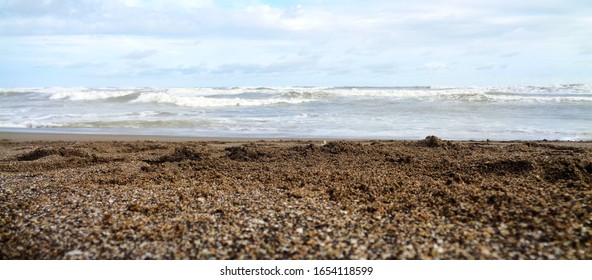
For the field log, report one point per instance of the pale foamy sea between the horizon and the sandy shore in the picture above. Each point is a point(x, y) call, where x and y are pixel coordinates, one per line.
point(556, 112)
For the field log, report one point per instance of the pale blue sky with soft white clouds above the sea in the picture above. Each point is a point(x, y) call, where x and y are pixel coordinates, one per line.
point(206, 43)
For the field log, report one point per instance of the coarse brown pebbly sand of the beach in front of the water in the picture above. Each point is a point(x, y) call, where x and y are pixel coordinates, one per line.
point(164, 199)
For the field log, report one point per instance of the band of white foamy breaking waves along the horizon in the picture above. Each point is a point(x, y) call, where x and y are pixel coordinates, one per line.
point(195, 97)
